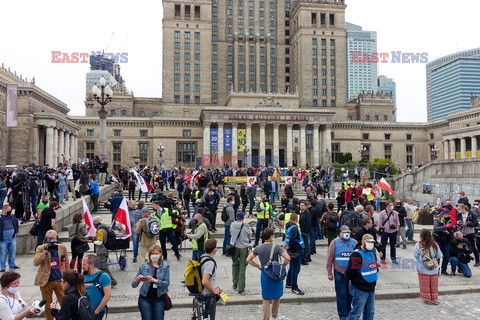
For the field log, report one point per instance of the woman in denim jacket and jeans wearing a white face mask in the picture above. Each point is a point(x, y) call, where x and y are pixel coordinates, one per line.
point(155, 275)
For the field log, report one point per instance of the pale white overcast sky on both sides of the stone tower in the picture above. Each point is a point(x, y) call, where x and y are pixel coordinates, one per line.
point(40, 27)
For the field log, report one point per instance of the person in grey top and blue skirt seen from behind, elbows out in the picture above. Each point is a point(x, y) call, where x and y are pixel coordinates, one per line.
point(272, 290)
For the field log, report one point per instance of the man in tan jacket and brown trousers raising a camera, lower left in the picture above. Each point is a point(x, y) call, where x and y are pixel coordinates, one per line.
point(52, 259)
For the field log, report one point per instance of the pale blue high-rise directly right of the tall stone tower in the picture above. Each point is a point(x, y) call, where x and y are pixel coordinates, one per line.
point(361, 76)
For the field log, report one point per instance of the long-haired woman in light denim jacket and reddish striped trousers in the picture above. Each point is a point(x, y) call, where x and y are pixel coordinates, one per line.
point(427, 250)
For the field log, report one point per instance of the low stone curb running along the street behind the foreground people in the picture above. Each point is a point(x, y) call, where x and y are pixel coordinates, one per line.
point(257, 300)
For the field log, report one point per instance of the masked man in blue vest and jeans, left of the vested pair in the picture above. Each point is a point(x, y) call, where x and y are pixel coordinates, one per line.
point(339, 253)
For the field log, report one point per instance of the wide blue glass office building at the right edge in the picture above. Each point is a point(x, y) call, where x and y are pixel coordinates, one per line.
point(451, 80)
